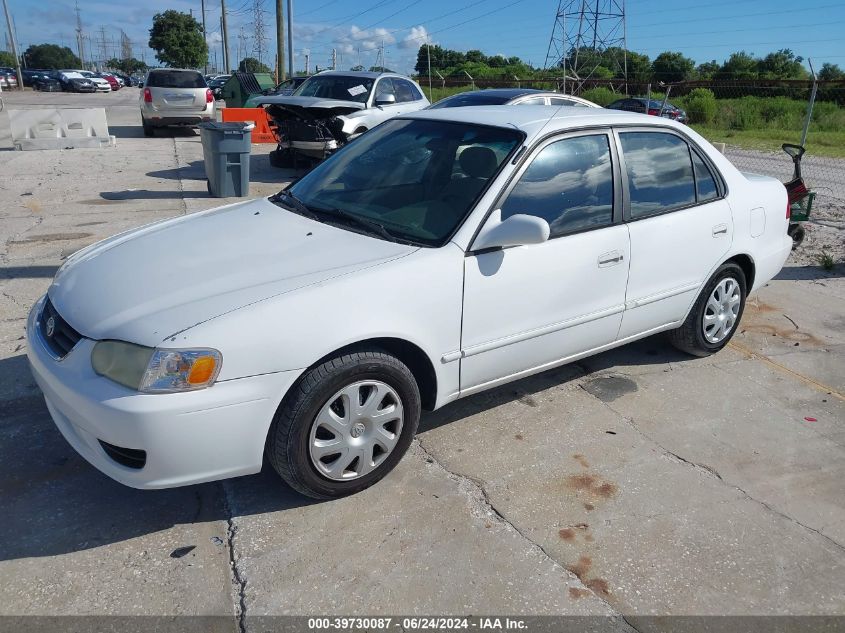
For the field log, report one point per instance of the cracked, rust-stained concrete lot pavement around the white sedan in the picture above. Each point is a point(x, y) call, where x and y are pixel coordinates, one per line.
point(638, 482)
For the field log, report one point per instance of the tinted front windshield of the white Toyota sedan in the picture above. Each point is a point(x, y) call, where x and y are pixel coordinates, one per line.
point(418, 179)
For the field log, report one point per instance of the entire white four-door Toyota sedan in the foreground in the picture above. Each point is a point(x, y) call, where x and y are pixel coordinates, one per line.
point(443, 253)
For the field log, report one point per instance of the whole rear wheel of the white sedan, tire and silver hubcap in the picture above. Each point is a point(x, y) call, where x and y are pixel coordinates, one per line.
point(715, 315)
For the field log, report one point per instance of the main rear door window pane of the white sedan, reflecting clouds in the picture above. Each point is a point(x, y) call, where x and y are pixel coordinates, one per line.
point(659, 172)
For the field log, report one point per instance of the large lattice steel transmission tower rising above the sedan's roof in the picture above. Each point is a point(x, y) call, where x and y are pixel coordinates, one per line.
point(588, 34)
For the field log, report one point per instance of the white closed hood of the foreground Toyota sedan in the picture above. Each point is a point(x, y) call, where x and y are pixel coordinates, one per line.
point(148, 284)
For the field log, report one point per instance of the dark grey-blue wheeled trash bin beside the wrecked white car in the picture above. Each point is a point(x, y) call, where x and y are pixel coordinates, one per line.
point(225, 150)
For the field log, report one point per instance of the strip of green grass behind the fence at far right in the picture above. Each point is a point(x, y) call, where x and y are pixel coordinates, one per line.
point(831, 143)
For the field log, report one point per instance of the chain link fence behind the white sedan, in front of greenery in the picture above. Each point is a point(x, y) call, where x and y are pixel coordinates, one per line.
point(753, 118)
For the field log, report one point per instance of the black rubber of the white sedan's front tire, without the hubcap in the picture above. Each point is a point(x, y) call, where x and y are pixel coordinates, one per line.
point(287, 442)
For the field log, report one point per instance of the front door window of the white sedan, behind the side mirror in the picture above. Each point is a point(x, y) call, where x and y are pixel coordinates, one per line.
point(569, 184)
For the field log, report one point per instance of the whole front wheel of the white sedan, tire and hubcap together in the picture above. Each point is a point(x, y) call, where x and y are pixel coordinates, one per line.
point(345, 424)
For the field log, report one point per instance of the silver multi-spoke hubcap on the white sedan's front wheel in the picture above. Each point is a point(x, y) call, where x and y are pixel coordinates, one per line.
point(356, 429)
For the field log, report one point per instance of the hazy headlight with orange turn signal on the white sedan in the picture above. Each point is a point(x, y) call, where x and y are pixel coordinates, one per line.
point(156, 370)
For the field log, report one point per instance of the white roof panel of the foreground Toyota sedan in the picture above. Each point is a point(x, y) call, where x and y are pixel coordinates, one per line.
point(532, 119)
